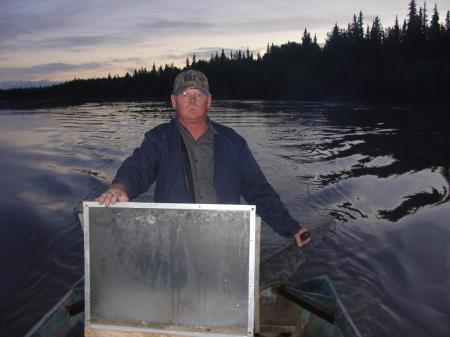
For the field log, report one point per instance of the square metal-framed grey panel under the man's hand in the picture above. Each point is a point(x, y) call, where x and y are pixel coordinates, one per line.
point(187, 269)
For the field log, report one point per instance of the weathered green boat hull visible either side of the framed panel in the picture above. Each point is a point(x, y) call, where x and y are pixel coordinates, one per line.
point(309, 309)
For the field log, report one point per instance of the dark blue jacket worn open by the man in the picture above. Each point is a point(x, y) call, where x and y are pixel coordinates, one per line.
point(236, 174)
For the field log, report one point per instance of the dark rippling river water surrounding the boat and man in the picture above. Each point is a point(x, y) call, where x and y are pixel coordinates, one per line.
point(371, 182)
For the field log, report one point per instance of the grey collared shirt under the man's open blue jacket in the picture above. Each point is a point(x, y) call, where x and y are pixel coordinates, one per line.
point(201, 158)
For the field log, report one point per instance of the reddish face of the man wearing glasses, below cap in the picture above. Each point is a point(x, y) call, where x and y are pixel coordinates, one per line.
point(191, 105)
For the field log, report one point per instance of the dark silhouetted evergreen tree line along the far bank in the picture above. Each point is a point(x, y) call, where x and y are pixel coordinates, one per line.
point(408, 62)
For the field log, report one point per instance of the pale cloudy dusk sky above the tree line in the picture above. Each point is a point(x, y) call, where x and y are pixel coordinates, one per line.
point(58, 40)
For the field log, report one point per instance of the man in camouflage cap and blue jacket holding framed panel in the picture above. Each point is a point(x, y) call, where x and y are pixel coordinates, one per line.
point(193, 159)
